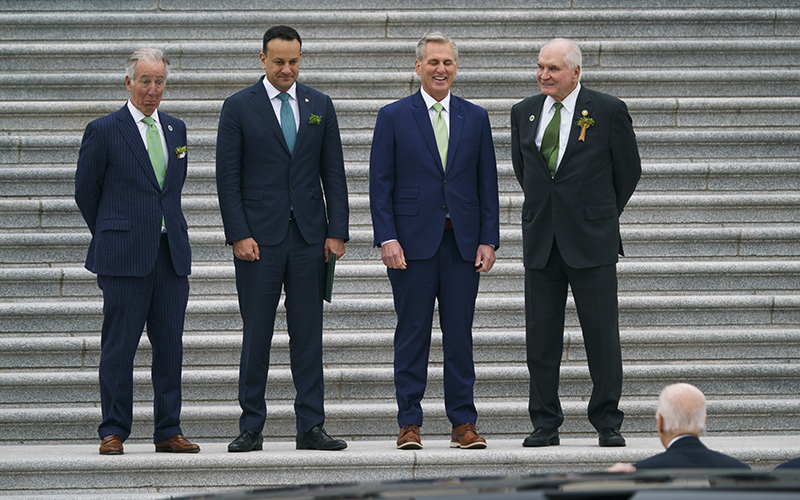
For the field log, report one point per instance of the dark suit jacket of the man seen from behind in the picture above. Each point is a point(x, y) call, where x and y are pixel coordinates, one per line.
point(689, 453)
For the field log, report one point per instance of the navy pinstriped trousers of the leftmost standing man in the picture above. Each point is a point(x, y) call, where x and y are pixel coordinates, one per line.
point(157, 300)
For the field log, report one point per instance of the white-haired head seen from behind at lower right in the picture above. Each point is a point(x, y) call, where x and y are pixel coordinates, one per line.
point(683, 410)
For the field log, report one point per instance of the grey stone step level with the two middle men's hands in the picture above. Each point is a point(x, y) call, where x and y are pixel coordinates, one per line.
point(32, 249)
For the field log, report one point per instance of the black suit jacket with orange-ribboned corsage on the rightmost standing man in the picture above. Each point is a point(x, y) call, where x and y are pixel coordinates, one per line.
point(581, 205)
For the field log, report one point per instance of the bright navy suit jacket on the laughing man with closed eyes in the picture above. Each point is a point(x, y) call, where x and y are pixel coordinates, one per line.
point(409, 192)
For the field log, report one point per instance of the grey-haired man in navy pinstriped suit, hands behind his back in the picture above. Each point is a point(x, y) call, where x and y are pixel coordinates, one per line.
point(131, 170)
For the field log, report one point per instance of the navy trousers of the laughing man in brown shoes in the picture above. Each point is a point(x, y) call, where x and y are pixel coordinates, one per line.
point(451, 280)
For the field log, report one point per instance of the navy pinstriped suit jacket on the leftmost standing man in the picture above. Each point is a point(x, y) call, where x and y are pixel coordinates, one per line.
point(118, 195)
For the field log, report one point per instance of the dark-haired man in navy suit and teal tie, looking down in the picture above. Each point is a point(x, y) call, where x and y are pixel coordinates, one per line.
point(283, 196)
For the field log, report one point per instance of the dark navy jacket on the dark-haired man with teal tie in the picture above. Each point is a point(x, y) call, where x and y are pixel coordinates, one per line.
point(259, 180)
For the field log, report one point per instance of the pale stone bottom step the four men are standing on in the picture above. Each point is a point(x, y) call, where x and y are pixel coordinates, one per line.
point(77, 469)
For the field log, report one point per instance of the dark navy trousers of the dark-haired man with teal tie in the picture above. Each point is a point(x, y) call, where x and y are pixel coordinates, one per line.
point(298, 268)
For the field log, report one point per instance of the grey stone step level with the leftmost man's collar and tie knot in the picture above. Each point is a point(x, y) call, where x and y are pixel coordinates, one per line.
point(20, 117)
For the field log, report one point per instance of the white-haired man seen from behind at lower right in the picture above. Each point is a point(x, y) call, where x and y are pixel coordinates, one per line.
point(681, 418)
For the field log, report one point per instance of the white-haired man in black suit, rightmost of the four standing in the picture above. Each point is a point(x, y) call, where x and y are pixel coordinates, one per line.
point(574, 154)
